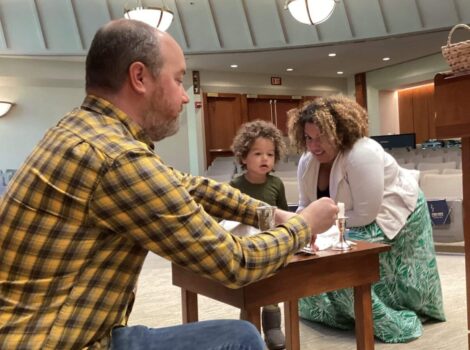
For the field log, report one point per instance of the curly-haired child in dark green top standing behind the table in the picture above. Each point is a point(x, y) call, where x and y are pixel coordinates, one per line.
point(257, 146)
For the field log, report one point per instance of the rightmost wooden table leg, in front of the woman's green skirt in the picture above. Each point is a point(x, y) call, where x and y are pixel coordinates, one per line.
point(363, 315)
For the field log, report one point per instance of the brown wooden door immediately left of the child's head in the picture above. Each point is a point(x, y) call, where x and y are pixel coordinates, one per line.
point(223, 115)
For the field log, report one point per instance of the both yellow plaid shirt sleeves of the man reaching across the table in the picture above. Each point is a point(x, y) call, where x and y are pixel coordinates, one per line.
point(140, 198)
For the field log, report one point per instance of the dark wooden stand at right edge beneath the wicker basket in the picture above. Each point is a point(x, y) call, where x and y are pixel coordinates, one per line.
point(452, 119)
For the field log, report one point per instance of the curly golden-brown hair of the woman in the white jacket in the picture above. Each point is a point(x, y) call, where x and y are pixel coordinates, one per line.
point(341, 119)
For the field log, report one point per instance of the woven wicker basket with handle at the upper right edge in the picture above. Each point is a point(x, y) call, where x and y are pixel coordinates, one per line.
point(458, 54)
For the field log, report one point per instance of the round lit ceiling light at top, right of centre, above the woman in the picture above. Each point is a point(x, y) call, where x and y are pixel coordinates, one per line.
point(310, 11)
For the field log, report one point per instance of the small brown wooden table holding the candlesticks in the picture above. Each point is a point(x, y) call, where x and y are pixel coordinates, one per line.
point(304, 276)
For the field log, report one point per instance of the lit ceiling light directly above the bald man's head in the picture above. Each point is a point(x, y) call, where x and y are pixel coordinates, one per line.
point(157, 17)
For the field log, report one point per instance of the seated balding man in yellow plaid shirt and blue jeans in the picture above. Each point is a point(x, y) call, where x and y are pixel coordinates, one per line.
point(82, 212)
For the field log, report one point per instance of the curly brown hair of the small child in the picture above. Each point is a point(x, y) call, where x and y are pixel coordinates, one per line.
point(249, 132)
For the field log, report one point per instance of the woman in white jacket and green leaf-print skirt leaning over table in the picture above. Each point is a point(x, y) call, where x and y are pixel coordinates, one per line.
point(383, 204)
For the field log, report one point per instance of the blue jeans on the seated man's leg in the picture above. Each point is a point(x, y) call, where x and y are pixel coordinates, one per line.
point(206, 335)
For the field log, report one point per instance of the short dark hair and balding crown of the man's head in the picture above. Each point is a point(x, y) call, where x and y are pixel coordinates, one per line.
point(116, 46)
